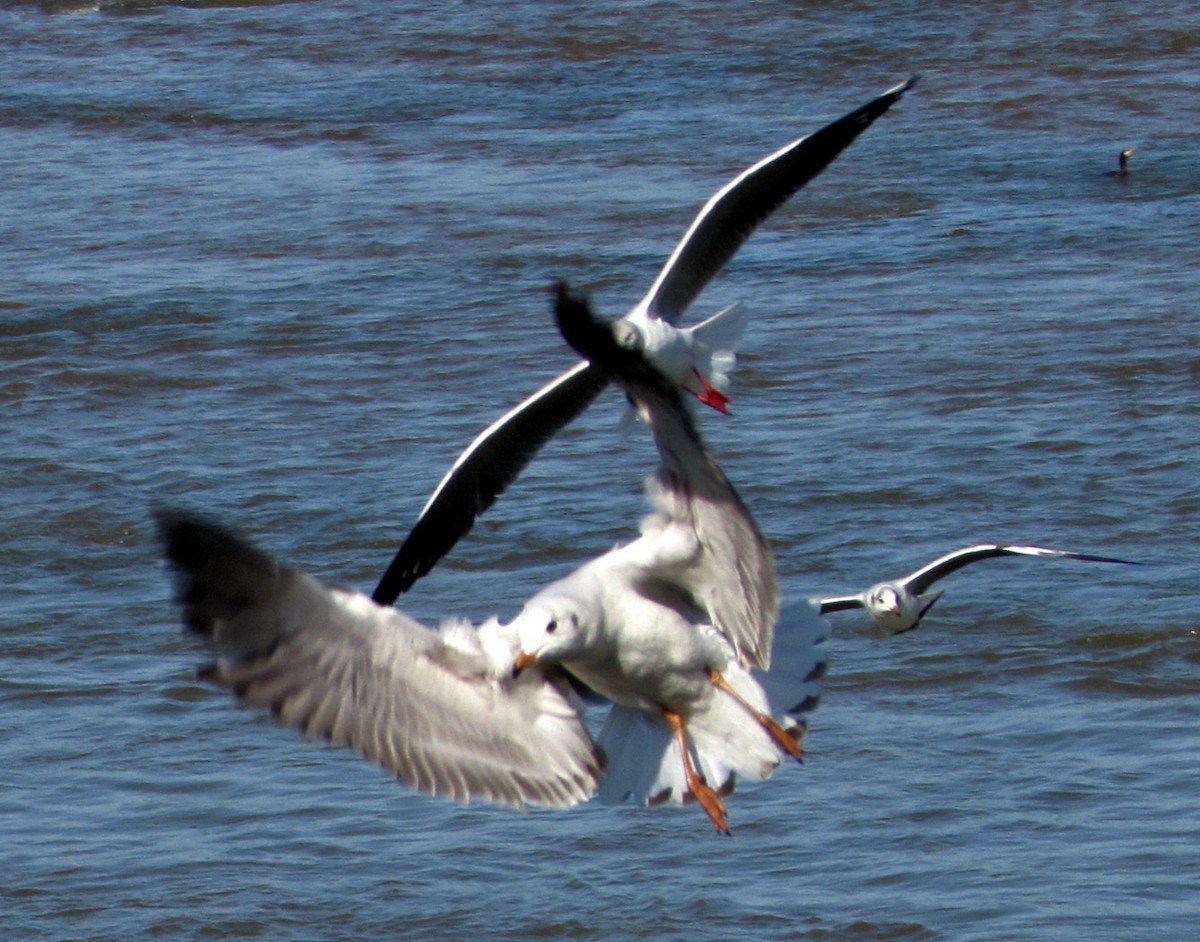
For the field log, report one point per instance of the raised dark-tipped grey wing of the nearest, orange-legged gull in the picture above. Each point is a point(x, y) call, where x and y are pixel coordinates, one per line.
point(735, 579)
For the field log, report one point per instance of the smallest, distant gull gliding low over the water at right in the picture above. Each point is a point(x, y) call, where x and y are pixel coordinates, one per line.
point(901, 605)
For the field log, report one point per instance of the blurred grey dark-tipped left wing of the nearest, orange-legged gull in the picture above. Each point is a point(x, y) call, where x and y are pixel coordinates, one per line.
point(439, 716)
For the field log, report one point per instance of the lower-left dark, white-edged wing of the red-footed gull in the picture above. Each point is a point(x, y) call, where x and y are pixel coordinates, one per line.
point(483, 472)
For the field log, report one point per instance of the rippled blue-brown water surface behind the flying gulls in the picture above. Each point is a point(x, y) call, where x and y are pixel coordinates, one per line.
point(279, 263)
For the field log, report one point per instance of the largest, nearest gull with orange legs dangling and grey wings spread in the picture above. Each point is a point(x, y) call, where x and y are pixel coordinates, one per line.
point(669, 629)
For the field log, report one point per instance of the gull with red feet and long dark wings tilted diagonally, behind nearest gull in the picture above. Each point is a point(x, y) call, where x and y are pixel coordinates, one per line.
point(689, 356)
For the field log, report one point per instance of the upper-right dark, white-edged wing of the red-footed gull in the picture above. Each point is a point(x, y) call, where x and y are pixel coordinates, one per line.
point(737, 209)
